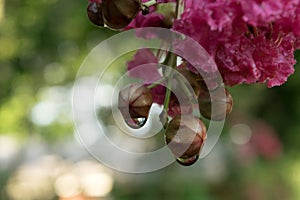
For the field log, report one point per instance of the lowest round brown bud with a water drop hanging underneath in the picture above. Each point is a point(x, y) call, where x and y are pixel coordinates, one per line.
point(185, 136)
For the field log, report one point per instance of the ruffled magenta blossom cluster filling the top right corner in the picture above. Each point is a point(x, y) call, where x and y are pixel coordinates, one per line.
point(251, 41)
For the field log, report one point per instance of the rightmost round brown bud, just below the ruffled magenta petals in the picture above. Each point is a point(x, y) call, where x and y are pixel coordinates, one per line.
point(222, 104)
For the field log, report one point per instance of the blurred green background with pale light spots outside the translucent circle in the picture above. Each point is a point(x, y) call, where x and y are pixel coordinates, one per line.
point(42, 44)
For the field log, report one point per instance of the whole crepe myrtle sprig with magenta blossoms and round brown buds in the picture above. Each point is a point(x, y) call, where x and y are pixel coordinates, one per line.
point(250, 42)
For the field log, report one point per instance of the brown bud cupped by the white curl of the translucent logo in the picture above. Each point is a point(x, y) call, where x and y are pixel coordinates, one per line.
point(134, 103)
